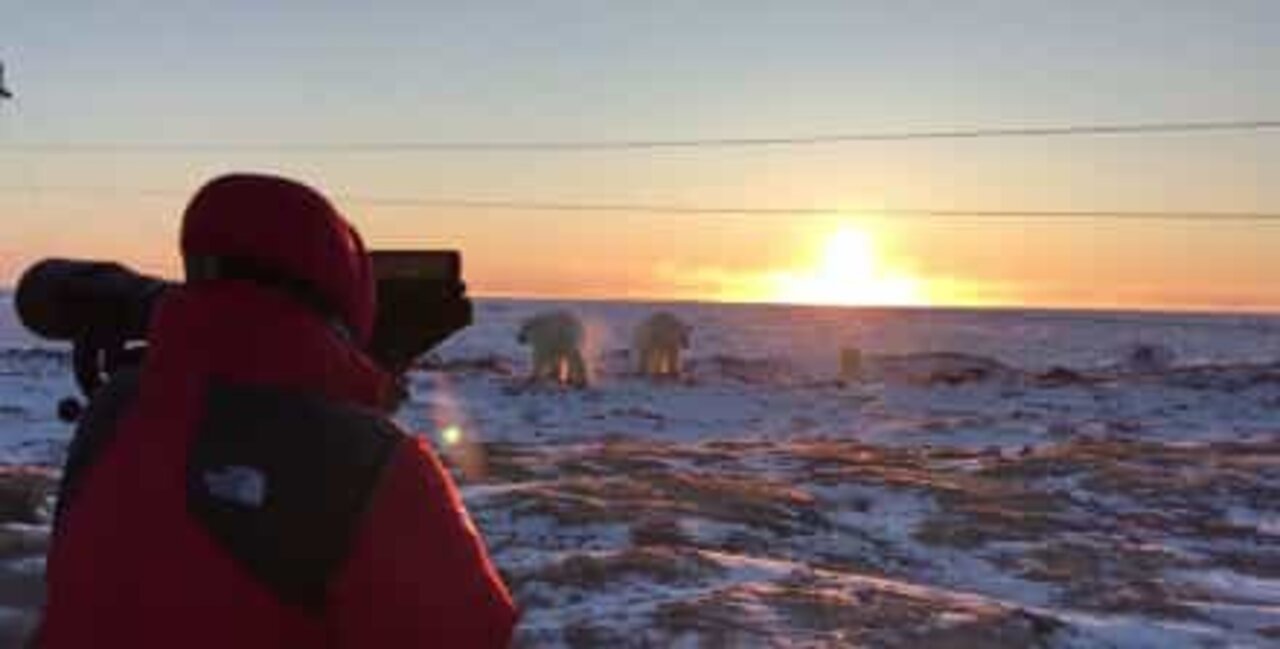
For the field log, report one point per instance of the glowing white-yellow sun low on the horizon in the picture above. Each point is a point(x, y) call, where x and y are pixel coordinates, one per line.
point(849, 272)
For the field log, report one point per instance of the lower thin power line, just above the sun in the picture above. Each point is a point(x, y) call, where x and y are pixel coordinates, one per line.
point(712, 211)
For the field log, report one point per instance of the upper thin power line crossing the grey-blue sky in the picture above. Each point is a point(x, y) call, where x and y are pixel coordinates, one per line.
point(1149, 129)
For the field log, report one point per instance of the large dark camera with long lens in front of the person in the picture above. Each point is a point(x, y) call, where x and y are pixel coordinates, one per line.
point(103, 309)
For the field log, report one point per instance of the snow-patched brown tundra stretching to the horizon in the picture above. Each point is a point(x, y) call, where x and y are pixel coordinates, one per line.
point(985, 481)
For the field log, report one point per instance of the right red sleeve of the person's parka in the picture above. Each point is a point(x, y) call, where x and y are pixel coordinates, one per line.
point(419, 574)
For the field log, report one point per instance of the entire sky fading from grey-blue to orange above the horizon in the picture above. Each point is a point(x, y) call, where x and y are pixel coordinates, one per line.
point(319, 72)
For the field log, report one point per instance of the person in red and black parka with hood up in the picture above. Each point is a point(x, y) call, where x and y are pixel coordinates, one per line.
point(243, 488)
